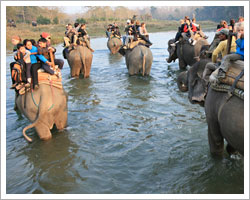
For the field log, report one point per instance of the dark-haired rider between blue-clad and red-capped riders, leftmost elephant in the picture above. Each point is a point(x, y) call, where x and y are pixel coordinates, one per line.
point(46, 59)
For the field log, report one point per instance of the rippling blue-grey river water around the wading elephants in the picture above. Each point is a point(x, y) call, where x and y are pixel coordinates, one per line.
point(125, 134)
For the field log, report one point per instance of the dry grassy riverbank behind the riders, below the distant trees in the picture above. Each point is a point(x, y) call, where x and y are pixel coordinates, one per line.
point(96, 29)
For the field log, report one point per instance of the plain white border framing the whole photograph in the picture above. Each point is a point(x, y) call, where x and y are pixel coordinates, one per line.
point(121, 196)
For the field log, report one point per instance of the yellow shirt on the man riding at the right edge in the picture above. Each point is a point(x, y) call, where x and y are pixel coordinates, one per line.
point(222, 48)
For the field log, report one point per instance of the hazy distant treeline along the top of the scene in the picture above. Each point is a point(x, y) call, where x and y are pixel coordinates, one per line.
point(54, 15)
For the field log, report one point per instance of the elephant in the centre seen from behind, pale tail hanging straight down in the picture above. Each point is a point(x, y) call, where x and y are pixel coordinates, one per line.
point(138, 60)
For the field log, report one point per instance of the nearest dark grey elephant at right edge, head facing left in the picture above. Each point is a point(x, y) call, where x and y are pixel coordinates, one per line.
point(224, 113)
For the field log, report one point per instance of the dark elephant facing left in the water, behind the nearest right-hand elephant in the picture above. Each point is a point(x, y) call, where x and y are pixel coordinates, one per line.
point(185, 52)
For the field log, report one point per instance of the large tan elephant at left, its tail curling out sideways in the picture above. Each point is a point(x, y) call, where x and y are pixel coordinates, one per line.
point(44, 107)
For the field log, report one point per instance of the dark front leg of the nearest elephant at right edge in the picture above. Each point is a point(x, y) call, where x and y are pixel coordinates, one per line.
point(215, 139)
